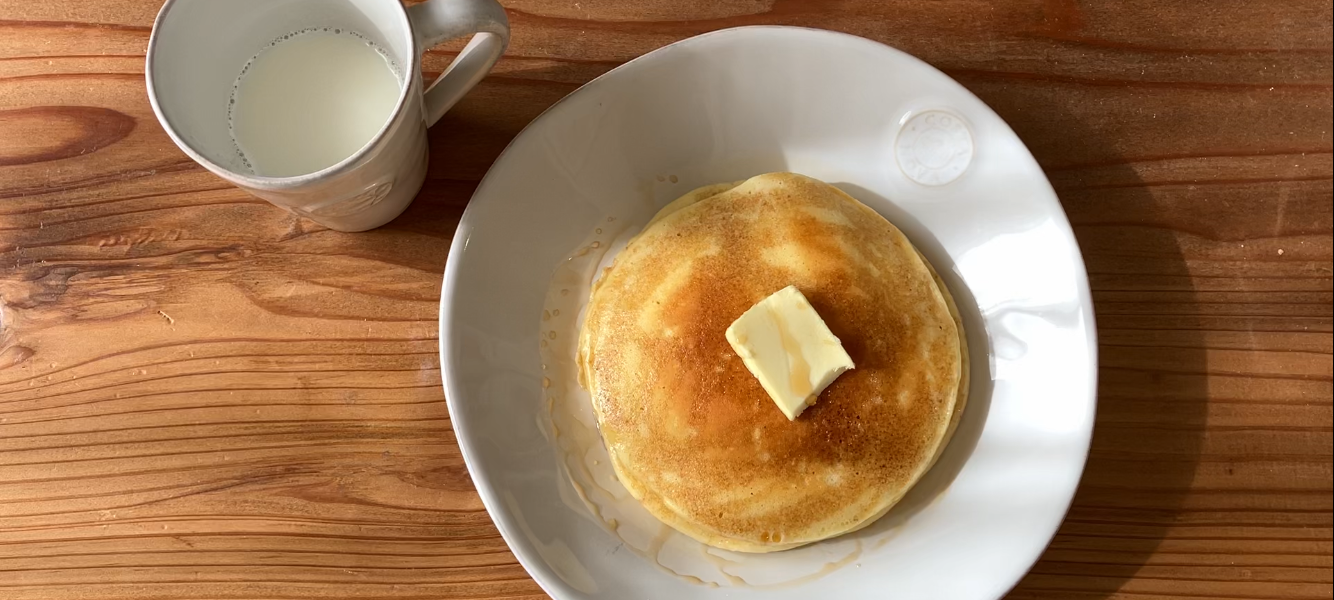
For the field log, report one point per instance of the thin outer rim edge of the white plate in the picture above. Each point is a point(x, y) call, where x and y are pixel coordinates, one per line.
point(540, 570)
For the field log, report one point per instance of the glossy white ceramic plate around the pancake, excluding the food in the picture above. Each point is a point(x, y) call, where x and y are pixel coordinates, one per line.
point(892, 131)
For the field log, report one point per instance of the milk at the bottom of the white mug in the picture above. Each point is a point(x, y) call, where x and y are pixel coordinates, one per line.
point(311, 99)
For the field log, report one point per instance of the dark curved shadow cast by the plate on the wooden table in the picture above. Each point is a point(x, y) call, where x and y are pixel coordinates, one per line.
point(1152, 386)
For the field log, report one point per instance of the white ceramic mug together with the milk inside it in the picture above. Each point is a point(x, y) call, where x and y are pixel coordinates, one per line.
point(315, 106)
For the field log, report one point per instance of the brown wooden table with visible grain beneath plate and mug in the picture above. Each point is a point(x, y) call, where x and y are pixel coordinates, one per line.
point(202, 397)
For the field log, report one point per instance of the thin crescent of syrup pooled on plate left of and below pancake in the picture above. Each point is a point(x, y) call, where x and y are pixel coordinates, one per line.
point(596, 489)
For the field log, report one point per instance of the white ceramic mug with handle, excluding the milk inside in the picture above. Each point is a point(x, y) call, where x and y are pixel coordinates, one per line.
point(199, 47)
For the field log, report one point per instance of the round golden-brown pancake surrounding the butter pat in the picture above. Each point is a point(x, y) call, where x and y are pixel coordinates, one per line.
point(690, 431)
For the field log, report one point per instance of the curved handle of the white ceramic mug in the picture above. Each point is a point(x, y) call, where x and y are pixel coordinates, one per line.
point(436, 22)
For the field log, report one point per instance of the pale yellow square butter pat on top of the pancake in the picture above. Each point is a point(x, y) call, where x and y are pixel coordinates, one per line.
point(789, 349)
